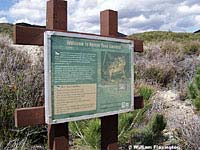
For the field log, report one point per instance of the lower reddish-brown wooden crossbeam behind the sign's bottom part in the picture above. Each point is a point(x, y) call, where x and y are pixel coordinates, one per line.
point(36, 115)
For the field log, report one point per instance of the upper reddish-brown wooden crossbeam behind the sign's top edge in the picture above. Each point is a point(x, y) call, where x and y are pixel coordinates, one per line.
point(34, 36)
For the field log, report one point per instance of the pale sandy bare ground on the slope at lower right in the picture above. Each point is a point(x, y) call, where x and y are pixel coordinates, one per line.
point(183, 122)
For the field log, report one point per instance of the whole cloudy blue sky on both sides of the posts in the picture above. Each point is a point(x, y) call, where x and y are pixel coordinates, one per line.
point(134, 15)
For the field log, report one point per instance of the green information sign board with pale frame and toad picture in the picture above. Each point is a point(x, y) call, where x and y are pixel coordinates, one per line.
point(86, 76)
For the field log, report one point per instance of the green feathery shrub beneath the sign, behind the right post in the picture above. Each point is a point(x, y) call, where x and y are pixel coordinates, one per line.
point(87, 132)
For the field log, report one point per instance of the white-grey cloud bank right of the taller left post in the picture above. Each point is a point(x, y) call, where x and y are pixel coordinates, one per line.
point(134, 15)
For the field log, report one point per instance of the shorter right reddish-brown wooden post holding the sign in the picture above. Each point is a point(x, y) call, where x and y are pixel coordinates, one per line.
point(109, 124)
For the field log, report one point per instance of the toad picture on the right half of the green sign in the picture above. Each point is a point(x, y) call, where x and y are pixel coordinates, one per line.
point(115, 67)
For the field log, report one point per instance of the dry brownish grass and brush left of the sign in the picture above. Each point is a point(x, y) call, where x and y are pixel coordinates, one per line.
point(21, 85)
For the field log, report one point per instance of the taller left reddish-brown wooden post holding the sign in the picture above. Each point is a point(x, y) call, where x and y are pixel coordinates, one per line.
point(58, 137)
